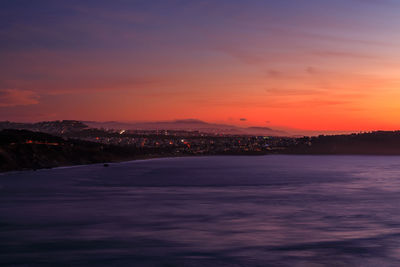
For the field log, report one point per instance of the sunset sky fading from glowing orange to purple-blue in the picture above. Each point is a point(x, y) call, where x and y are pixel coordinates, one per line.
point(318, 65)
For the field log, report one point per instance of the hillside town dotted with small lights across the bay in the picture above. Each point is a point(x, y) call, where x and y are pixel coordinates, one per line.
point(193, 142)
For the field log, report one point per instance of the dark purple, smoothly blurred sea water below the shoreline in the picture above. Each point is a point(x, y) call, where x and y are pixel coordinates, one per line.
point(209, 211)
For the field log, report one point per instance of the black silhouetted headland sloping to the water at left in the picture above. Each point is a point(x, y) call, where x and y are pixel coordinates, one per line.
point(21, 150)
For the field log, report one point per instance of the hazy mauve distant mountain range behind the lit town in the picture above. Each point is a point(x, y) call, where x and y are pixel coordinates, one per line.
point(188, 125)
